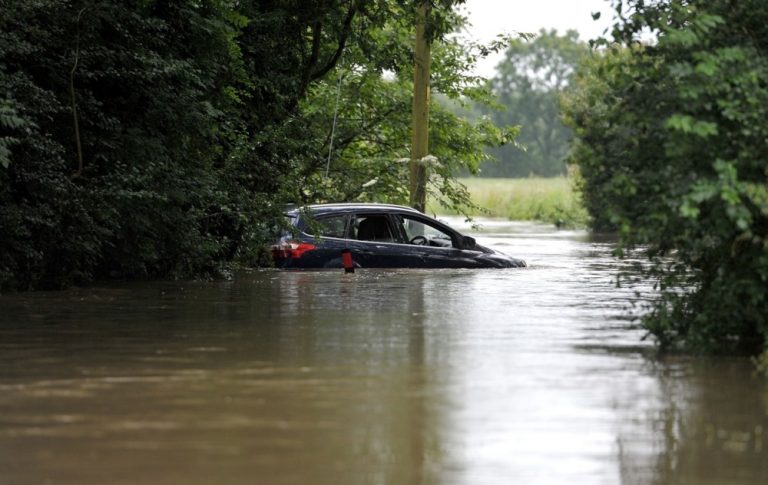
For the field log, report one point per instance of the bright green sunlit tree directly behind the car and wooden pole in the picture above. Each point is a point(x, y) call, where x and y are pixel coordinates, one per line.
point(364, 156)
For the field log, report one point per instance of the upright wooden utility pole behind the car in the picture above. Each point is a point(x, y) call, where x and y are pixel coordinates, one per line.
point(420, 111)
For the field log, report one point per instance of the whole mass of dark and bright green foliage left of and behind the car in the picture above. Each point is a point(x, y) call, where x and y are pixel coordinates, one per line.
point(162, 138)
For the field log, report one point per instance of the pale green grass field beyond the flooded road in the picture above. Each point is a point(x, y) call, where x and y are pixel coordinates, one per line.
point(551, 200)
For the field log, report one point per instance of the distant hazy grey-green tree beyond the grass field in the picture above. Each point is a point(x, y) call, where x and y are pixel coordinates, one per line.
point(528, 84)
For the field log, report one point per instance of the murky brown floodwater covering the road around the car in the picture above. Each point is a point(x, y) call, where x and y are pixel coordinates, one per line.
point(530, 376)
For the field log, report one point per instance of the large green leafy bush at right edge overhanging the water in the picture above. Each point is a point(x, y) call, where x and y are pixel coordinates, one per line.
point(671, 142)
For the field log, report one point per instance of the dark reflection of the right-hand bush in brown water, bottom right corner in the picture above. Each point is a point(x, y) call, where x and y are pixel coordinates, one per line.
point(706, 419)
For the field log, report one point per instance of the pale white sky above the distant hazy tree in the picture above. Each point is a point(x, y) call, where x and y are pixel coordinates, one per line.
point(492, 17)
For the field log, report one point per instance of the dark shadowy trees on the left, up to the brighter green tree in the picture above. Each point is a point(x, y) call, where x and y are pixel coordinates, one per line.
point(135, 134)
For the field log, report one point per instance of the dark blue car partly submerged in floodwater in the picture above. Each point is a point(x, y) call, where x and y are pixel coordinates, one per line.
point(378, 236)
